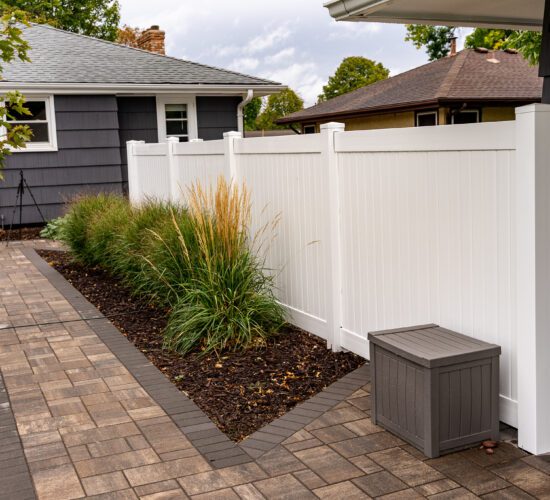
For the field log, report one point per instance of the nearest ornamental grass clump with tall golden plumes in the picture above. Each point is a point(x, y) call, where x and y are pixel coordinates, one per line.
point(228, 302)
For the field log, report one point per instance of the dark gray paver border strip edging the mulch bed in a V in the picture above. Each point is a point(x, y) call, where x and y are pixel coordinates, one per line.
point(206, 437)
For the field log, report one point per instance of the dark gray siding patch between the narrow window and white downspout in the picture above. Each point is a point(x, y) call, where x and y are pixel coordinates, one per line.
point(216, 115)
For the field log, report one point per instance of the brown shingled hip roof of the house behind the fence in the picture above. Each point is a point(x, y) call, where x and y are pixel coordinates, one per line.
point(468, 76)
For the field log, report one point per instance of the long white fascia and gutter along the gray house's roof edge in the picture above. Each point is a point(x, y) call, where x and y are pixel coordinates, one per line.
point(132, 89)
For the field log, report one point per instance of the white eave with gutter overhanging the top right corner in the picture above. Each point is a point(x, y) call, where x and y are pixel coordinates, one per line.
point(381, 11)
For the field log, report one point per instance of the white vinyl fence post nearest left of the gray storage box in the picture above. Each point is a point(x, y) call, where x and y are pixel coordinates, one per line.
point(329, 161)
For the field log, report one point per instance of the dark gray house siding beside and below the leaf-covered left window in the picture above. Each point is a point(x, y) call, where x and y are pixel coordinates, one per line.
point(88, 159)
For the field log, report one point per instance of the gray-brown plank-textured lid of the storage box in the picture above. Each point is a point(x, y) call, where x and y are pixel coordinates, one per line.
point(431, 345)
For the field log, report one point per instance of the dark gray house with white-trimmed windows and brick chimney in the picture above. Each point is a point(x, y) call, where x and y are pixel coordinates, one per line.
point(88, 97)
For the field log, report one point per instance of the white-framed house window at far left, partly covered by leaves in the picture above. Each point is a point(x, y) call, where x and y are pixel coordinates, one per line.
point(41, 121)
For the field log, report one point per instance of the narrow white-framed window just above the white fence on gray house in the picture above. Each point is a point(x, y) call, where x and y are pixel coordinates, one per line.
point(176, 118)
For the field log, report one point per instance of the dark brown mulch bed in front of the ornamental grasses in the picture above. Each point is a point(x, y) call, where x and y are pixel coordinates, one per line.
point(240, 392)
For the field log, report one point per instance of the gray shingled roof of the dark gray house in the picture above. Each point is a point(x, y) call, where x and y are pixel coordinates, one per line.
point(62, 57)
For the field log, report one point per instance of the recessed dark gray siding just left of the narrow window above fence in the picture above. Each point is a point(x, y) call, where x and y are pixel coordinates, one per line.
point(137, 118)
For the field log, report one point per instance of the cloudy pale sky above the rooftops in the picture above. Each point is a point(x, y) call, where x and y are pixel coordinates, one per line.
point(294, 42)
